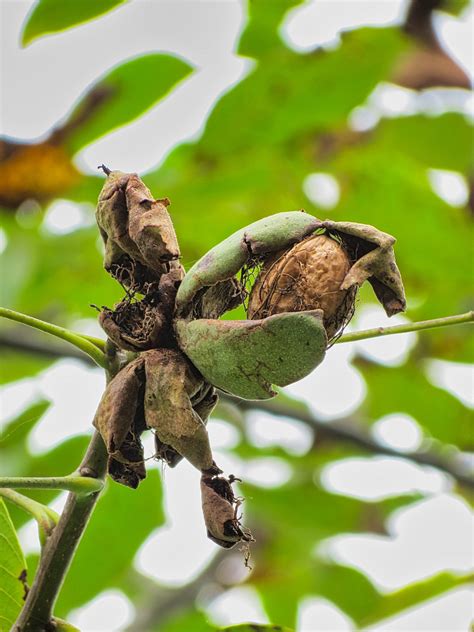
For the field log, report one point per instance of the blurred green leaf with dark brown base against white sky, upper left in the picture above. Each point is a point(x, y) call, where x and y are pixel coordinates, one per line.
point(128, 90)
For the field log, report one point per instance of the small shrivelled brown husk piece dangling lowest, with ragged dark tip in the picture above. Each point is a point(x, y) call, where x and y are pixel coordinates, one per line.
point(220, 507)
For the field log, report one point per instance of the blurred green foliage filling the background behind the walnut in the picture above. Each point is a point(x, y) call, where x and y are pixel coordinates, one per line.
point(285, 120)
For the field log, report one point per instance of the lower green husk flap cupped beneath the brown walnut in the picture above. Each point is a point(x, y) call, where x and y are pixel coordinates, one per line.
point(246, 357)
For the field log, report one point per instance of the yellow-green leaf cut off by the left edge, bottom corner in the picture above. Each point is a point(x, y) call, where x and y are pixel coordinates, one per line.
point(12, 572)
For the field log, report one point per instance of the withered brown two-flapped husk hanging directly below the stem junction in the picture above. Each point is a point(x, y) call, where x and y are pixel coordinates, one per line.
point(159, 390)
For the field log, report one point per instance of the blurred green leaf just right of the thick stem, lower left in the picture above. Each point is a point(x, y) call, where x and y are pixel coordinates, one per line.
point(119, 525)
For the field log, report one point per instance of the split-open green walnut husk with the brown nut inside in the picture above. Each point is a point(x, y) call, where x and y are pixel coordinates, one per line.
point(302, 299)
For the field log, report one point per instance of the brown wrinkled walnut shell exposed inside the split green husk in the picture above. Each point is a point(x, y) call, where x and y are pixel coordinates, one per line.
point(307, 276)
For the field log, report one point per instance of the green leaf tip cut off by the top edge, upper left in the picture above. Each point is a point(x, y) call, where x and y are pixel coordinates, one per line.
point(51, 16)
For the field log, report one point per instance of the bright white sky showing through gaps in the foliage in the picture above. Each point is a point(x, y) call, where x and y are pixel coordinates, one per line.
point(39, 86)
